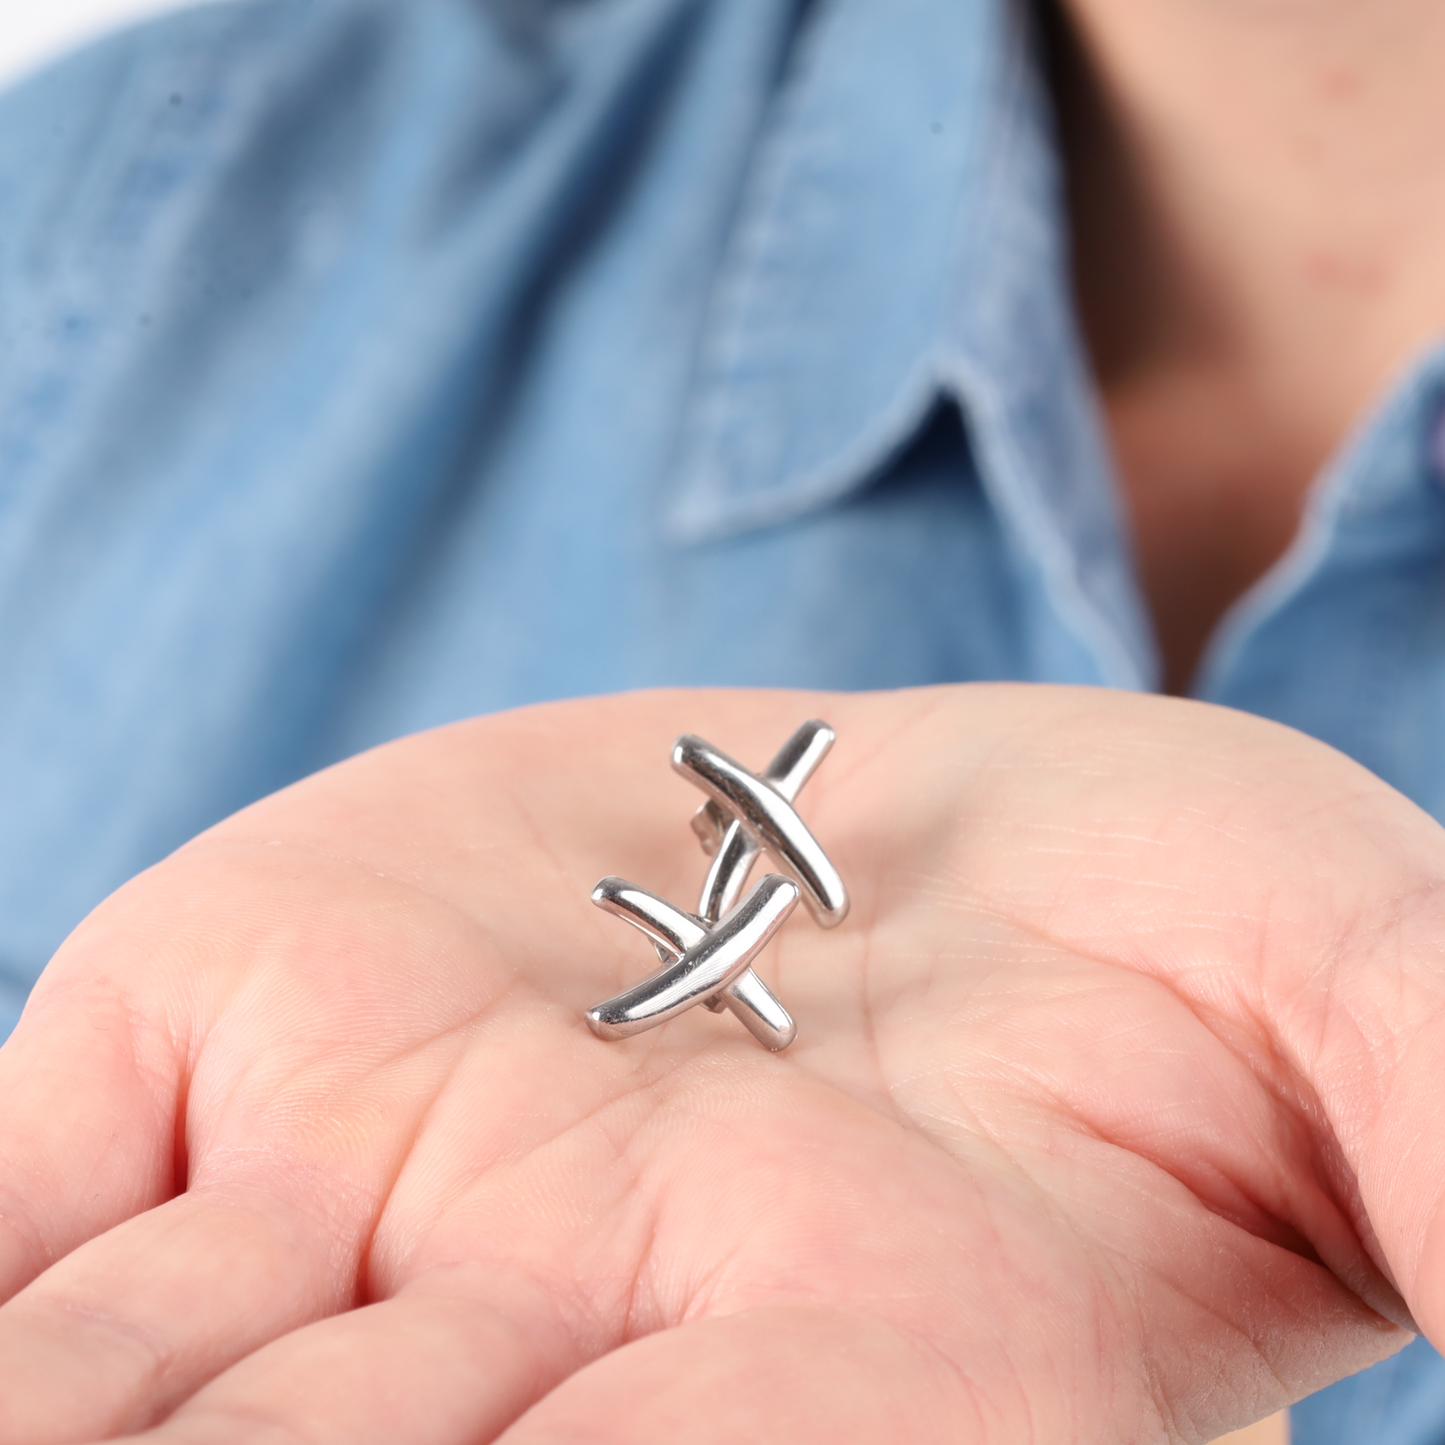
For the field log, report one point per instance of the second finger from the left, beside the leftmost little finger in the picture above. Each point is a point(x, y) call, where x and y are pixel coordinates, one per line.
point(132, 1323)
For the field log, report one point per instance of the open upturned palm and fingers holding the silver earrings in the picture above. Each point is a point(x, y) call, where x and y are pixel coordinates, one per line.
point(1115, 1110)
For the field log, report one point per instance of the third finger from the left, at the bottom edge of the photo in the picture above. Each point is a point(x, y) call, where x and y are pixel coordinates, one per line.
point(452, 1360)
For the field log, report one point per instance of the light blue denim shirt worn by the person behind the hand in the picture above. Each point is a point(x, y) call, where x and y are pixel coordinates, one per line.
point(368, 365)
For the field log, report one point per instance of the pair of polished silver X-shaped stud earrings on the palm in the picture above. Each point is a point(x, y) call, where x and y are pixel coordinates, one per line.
point(709, 956)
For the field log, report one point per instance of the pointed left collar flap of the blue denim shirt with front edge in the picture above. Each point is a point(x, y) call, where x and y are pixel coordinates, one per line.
point(904, 242)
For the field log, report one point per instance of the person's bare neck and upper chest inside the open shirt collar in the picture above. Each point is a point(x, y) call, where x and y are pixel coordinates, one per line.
point(1259, 209)
